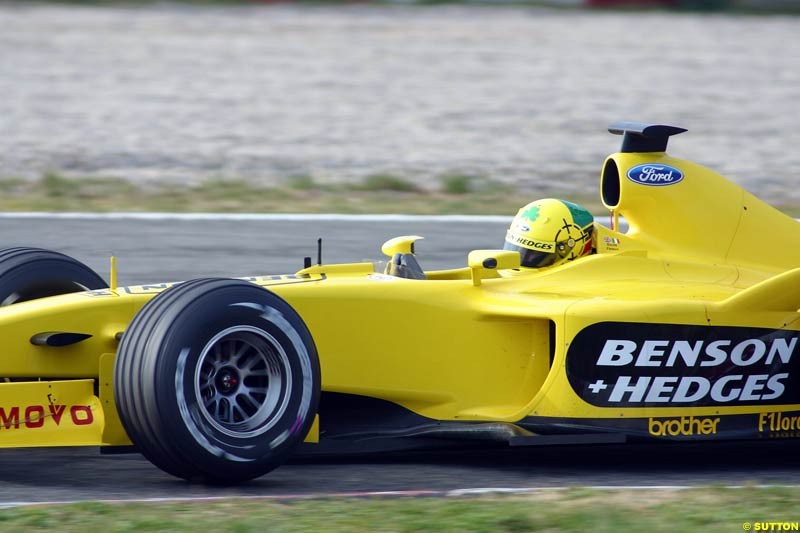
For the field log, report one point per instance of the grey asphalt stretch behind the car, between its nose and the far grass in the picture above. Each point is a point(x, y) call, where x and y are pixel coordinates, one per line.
point(171, 249)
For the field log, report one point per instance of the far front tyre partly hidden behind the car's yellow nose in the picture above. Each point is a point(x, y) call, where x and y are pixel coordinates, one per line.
point(32, 273)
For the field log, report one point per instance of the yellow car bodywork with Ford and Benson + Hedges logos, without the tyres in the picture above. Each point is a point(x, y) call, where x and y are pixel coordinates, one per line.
point(684, 326)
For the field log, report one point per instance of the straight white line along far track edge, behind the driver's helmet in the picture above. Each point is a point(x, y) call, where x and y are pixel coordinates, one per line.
point(272, 217)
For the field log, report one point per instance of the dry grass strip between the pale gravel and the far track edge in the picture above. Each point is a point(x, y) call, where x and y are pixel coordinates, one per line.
point(382, 193)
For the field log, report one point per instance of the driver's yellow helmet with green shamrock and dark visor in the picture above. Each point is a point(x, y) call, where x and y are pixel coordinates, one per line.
point(550, 232)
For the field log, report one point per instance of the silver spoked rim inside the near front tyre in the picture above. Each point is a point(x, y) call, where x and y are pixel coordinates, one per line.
point(243, 381)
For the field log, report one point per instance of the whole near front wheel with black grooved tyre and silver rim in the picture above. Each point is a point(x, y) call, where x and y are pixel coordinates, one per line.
point(217, 380)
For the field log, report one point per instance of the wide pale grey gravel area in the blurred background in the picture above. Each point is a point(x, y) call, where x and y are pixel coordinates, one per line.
point(179, 94)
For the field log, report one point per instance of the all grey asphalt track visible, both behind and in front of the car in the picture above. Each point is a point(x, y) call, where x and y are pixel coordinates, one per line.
point(159, 250)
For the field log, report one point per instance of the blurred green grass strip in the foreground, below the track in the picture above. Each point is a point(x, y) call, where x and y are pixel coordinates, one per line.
point(705, 509)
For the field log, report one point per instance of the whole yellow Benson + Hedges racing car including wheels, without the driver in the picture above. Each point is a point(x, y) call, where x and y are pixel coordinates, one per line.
point(683, 327)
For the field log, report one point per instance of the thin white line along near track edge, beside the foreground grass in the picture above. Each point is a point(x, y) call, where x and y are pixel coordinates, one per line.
point(456, 493)
